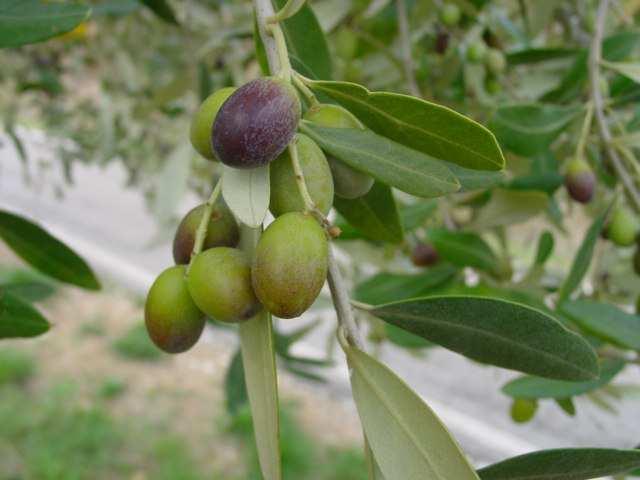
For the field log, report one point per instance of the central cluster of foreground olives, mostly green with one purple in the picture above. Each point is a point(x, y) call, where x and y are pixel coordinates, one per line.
point(247, 128)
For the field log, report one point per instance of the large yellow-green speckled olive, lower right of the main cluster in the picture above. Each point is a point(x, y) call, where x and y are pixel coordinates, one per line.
point(290, 266)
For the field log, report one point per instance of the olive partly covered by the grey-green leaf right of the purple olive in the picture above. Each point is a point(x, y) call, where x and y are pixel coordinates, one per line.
point(347, 182)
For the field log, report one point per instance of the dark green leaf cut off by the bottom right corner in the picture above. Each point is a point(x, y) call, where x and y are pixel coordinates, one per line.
point(563, 464)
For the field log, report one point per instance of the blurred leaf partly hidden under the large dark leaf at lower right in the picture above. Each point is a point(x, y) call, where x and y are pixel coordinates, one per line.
point(535, 387)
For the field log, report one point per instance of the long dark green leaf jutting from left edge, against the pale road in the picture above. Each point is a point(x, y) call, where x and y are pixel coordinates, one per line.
point(44, 252)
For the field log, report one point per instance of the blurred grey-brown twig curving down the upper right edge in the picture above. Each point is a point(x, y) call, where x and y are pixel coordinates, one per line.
point(598, 108)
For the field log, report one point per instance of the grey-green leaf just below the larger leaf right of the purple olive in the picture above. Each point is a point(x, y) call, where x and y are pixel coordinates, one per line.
point(389, 162)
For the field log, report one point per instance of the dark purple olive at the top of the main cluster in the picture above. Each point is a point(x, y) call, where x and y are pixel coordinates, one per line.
point(256, 123)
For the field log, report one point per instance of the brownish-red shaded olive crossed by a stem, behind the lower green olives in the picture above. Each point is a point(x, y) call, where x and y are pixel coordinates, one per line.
point(222, 231)
